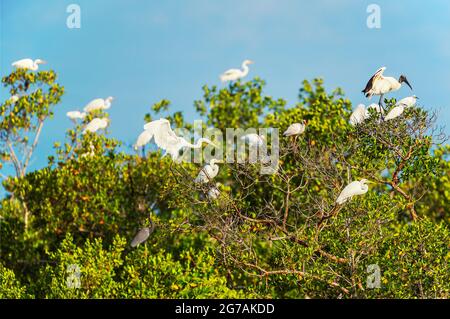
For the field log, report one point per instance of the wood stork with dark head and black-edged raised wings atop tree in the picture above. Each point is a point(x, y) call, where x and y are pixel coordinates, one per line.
point(380, 85)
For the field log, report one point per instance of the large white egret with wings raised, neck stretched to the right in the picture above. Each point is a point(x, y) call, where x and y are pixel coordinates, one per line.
point(166, 139)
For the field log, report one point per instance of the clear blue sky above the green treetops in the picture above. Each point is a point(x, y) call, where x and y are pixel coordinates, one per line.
point(143, 51)
